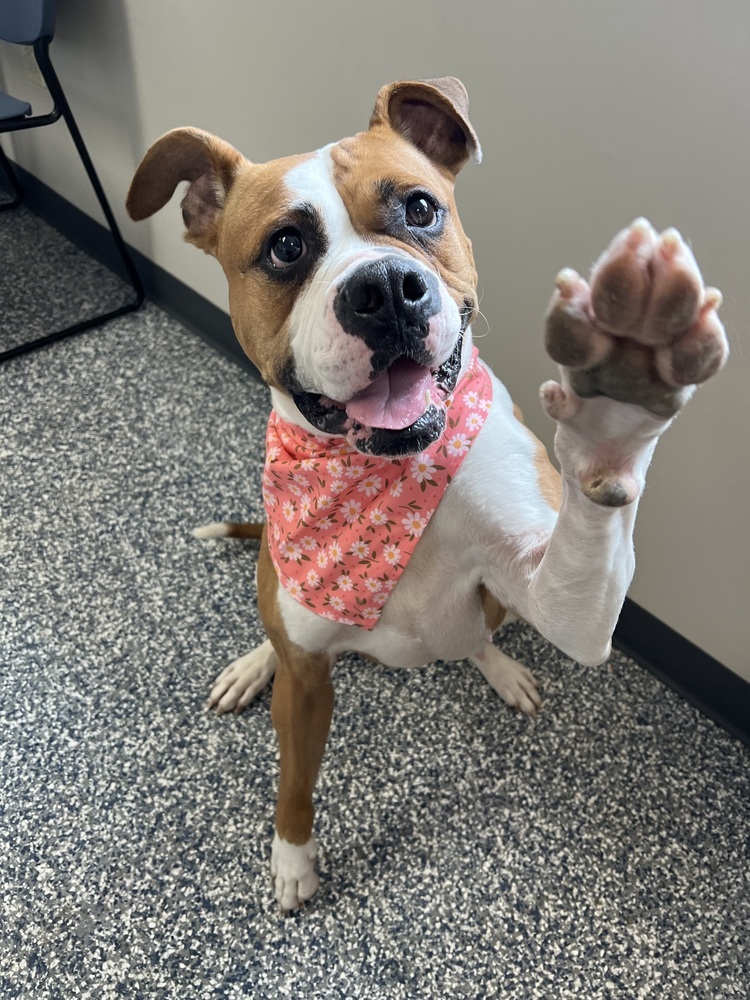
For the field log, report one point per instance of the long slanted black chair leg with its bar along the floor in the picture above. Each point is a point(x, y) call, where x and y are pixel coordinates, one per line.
point(58, 95)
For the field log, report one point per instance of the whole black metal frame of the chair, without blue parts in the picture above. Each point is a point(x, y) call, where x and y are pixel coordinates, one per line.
point(61, 109)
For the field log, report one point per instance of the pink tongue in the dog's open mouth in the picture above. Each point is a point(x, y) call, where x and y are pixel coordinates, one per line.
point(395, 399)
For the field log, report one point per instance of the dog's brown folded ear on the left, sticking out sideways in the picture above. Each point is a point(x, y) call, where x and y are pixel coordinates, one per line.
point(186, 154)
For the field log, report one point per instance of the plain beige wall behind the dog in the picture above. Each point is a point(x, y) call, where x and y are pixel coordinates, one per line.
point(591, 112)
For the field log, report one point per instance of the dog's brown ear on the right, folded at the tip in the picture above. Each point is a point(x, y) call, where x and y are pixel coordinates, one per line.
point(434, 116)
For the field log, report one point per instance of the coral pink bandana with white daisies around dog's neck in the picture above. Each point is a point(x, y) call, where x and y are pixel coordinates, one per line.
point(342, 525)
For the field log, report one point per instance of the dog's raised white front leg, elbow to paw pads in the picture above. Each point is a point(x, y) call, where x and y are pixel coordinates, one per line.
point(631, 346)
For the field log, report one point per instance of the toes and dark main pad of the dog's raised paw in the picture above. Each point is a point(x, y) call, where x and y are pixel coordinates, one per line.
point(643, 330)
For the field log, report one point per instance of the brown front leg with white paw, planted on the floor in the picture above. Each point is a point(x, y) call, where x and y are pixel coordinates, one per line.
point(301, 709)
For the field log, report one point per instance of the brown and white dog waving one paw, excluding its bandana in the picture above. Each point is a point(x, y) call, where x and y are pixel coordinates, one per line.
point(350, 278)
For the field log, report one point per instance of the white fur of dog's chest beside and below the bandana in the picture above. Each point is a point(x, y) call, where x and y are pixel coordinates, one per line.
point(493, 510)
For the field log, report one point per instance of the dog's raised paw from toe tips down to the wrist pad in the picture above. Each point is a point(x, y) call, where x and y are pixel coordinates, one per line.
point(643, 331)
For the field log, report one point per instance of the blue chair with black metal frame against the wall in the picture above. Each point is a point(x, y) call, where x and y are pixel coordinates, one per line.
point(32, 22)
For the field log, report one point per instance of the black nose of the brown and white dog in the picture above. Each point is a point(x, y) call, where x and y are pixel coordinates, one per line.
point(388, 302)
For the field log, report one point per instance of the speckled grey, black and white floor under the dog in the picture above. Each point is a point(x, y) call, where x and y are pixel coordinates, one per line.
point(602, 852)
